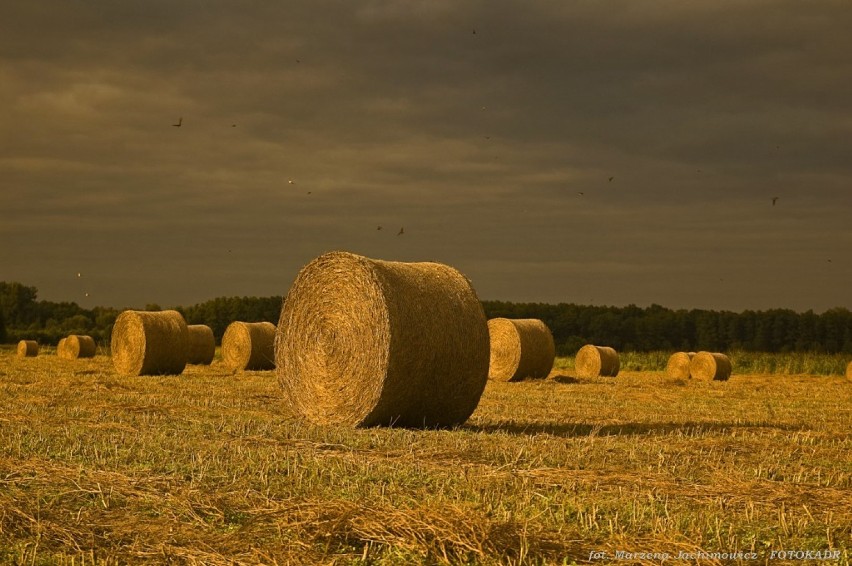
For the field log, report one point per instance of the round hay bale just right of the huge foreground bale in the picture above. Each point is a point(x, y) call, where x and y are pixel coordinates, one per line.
point(520, 348)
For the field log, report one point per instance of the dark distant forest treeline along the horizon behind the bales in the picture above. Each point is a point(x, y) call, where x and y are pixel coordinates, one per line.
point(630, 328)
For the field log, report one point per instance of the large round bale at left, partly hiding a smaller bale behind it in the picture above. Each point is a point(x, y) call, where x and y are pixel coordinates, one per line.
point(149, 343)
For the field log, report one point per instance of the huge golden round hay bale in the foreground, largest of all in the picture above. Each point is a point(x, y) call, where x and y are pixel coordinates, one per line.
point(367, 342)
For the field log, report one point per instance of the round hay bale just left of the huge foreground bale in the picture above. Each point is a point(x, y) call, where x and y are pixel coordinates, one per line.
point(249, 346)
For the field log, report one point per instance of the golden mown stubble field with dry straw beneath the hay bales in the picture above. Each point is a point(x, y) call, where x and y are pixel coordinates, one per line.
point(207, 468)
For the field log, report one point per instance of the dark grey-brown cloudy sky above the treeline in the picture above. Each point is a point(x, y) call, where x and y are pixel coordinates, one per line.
point(587, 151)
